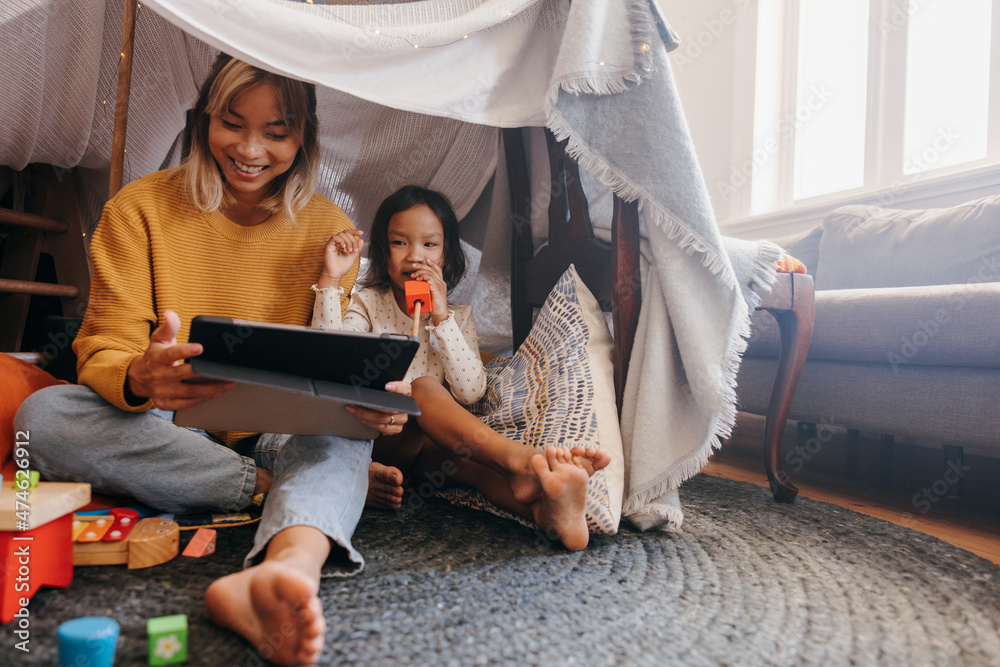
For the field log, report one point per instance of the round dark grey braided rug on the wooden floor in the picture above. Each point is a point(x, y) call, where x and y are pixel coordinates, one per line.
point(747, 582)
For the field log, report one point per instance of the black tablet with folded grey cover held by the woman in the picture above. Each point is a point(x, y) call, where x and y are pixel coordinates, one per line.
point(295, 380)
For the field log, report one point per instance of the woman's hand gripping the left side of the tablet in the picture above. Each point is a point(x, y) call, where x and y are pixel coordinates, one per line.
point(159, 373)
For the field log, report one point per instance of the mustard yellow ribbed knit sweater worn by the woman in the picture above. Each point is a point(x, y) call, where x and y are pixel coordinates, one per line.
point(154, 250)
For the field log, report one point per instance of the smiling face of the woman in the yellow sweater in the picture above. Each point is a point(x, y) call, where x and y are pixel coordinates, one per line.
point(252, 144)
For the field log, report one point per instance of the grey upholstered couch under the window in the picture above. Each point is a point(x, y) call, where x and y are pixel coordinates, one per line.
point(907, 330)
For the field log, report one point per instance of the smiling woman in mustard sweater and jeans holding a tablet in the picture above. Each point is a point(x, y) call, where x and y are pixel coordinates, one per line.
point(237, 230)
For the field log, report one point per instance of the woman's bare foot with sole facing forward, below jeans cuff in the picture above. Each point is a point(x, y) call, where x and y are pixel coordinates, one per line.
point(275, 607)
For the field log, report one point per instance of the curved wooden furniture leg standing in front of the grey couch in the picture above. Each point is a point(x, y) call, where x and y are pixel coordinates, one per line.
point(792, 303)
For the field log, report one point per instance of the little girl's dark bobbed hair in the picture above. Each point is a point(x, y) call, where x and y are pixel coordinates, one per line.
point(401, 200)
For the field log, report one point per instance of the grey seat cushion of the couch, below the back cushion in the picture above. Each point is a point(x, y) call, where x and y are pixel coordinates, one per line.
point(940, 325)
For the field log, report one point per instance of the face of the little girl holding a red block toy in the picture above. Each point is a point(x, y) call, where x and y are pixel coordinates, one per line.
point(414, 235)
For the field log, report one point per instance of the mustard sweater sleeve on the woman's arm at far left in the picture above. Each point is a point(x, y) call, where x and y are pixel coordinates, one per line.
point(120, 312)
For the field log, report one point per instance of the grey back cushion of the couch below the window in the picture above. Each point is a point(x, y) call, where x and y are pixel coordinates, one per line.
point(869, 246)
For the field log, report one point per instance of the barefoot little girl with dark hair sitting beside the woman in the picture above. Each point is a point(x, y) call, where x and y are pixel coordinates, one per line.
point(415, 237)
